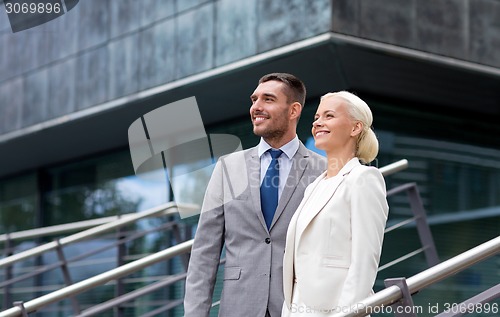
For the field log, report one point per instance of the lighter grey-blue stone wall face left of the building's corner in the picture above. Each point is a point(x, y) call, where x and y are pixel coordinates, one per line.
point(102, 49)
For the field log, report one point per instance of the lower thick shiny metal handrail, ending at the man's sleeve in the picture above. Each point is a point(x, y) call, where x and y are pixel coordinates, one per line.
point(98, 280)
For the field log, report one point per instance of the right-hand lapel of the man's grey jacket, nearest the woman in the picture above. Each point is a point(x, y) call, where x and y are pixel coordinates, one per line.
point(299, 165)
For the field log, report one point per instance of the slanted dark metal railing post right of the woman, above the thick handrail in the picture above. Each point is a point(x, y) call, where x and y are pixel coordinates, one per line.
point(424, 231)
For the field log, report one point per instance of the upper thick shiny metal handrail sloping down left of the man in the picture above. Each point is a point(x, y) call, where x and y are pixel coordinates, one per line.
point(92, 232)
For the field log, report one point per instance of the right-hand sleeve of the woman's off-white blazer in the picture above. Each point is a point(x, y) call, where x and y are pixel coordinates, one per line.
point(369, 210)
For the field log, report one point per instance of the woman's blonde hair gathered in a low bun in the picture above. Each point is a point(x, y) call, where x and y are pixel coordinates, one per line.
point(367, 142)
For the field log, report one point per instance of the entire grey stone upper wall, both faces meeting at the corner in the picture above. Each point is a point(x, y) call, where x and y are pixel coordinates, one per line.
point(102, 49)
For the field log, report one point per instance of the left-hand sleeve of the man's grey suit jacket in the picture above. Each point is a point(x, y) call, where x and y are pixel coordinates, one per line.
point(207, 247)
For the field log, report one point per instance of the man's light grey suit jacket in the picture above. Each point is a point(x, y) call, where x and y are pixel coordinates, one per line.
point(231, 216)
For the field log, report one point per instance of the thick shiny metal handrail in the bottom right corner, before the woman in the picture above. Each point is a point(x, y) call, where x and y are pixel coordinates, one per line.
point(425, 278)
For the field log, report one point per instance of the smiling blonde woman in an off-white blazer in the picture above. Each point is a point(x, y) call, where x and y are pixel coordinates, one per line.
point(341, 218)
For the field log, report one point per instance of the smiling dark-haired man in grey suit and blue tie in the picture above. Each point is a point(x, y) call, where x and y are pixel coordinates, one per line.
point(232, 214)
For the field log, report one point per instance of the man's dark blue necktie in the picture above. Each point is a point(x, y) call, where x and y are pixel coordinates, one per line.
point(269, 188)
